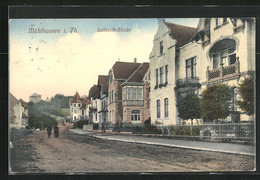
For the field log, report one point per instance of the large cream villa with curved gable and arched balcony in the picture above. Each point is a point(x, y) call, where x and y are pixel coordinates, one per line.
point(185, 59)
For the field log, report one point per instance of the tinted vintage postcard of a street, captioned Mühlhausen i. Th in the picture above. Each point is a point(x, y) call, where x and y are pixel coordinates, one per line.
point(139, 95)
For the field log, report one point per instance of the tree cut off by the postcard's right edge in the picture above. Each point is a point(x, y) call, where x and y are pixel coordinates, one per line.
point(246, 92)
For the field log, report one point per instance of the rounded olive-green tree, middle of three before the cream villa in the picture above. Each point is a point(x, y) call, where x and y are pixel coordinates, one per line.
point(215, 102)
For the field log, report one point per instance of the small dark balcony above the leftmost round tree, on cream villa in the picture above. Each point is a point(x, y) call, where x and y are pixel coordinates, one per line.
point(188, 82)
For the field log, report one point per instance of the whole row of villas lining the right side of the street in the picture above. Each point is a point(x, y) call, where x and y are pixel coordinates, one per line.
point(183, 59)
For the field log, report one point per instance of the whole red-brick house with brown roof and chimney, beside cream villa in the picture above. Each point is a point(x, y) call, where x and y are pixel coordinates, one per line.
point(130, 76)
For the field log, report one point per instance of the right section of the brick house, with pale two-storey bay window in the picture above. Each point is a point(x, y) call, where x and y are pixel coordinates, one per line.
point(135, 96)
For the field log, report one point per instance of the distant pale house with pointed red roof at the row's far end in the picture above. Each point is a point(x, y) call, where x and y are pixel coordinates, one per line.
point(78, 107)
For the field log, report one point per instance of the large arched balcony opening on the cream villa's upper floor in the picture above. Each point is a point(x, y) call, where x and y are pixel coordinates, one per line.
point(223, 53)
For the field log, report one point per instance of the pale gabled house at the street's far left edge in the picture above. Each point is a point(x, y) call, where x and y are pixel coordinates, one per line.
point(18, 113)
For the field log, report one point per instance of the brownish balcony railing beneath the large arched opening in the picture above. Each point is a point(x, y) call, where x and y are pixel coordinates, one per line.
point(223, 71)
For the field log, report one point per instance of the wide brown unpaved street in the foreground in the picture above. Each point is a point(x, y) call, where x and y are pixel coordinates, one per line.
point(74, 153)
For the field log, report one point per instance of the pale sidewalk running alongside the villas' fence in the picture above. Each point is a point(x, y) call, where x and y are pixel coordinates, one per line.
point(186, 144)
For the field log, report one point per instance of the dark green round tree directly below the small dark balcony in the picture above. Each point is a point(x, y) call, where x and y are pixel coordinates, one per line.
point(189, 106)
